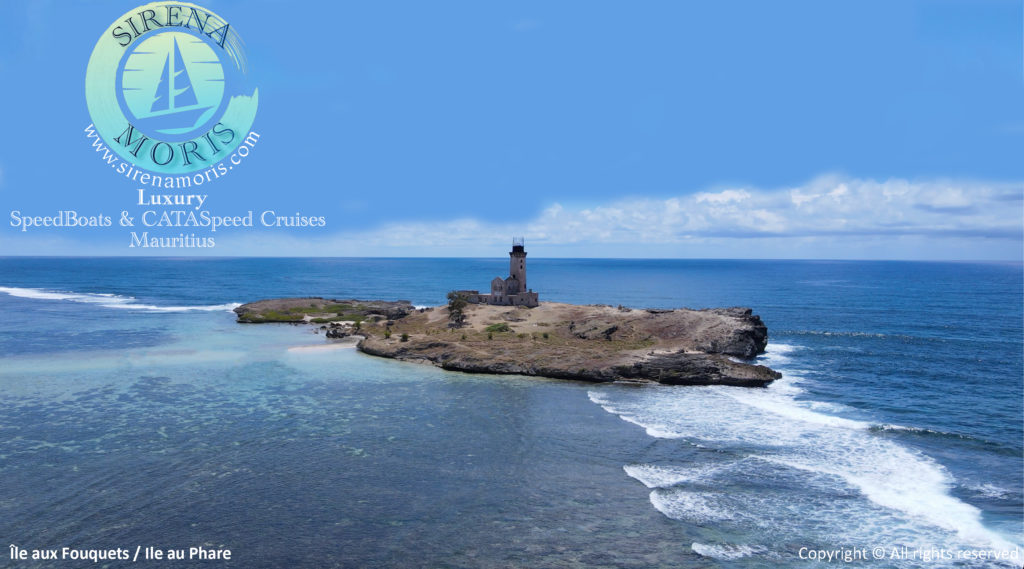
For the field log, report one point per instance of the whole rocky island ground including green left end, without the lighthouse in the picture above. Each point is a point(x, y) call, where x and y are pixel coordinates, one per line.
point(594, 343)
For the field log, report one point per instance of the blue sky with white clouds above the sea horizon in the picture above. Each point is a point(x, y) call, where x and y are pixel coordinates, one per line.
point(657, 129)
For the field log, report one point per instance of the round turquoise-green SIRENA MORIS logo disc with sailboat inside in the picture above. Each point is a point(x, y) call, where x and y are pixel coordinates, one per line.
point(168, 89)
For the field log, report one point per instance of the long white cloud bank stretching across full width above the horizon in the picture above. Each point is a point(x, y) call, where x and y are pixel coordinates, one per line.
point(831, 217)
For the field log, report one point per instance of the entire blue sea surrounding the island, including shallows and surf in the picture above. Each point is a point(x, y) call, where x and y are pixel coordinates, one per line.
point(135, 412)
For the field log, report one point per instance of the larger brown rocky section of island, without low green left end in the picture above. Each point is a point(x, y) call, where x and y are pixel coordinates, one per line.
point(592, 343)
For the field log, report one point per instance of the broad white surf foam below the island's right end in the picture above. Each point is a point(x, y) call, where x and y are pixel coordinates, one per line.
point(905, 496)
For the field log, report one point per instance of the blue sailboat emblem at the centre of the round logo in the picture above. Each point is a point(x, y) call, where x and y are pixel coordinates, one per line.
point(175, 105)
